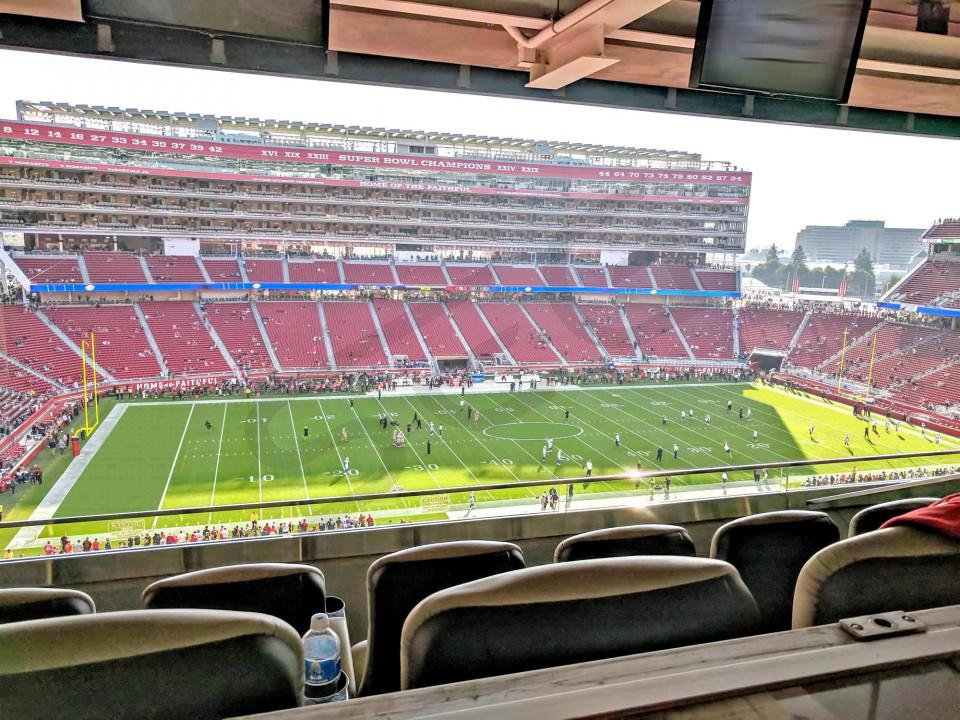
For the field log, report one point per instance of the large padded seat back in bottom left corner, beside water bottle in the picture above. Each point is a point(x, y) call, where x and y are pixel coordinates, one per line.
point(160, 664)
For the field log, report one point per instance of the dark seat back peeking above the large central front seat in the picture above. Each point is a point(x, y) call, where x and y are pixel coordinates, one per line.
point(626, 541)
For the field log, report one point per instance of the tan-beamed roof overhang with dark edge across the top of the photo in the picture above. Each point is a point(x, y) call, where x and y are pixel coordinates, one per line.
point(618, 53)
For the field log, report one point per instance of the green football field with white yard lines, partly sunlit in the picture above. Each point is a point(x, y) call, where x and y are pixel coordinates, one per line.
point(163, 455)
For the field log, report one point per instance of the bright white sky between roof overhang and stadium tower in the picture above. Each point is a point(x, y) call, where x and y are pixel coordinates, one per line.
point(801, 176)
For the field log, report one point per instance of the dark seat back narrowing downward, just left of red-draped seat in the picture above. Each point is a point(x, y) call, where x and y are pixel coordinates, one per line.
point(768, 550)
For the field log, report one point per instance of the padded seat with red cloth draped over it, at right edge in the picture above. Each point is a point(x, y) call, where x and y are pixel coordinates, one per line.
point(898, 568)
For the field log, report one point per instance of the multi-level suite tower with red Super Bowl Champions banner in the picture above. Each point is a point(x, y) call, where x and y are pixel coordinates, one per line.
point(77, 177)
